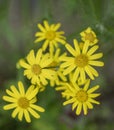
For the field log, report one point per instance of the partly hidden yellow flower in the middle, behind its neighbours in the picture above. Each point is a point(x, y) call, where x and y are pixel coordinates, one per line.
point(55, 65)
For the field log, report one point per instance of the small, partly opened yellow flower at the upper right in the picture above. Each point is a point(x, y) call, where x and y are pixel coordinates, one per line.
point(89, 36)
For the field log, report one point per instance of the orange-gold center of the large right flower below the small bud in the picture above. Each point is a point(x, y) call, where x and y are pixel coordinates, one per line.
point(81, 60)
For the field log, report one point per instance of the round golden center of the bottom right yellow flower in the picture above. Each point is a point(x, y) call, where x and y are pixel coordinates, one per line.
point(81, 96)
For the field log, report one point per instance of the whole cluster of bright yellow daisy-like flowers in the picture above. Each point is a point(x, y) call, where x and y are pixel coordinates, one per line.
point(67, 71)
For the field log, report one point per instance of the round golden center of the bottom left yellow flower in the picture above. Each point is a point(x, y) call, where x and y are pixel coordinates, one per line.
point(23, 102)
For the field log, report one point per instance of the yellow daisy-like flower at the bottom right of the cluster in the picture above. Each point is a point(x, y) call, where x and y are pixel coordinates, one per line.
point(81, 98)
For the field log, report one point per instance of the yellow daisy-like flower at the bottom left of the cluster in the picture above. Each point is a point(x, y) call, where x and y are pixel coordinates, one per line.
point(22, 102)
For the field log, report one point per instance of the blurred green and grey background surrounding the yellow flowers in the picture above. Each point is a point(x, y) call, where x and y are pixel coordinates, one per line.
point(18, 24)
